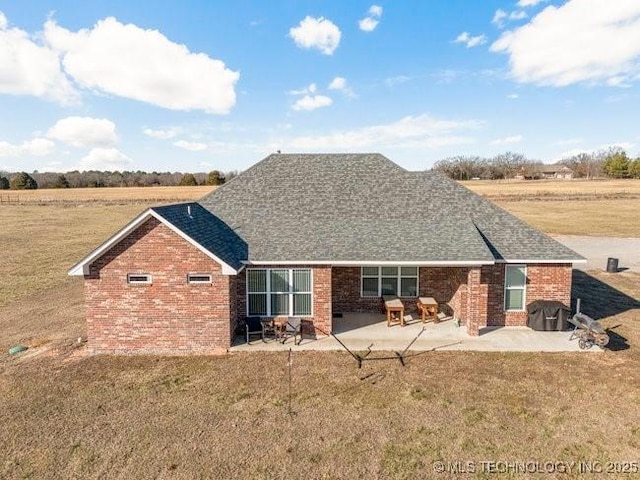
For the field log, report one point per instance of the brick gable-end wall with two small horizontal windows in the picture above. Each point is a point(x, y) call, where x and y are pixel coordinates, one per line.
point(169, 316)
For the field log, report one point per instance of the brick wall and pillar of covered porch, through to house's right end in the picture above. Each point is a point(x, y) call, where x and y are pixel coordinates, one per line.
point(473, 294)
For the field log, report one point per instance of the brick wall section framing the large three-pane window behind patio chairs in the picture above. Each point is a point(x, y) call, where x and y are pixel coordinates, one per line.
point(320, 322)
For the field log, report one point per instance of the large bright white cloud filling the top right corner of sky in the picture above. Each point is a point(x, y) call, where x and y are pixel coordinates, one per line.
point(580, 41)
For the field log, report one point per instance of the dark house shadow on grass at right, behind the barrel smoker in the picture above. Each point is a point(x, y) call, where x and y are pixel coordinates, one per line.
point(600, 300)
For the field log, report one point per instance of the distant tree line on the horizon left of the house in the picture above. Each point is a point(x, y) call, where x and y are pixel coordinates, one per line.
point(96, 179)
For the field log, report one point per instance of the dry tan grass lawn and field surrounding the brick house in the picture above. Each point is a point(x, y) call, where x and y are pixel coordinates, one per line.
point(65, 415)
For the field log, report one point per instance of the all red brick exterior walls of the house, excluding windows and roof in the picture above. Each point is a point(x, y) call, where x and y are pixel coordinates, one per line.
point(171, 316)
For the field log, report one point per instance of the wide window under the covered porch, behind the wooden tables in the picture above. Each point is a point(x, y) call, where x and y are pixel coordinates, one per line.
point(378, 281)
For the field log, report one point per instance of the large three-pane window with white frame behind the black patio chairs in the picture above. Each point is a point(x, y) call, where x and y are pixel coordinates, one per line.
point(279, 291)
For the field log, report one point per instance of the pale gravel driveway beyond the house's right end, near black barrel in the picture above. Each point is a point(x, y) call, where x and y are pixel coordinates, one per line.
point(598, 249)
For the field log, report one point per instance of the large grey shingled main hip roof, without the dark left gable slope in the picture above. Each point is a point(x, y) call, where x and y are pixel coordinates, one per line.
point(363, 208)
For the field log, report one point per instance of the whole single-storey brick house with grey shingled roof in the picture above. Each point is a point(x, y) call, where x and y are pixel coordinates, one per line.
point(313, 236)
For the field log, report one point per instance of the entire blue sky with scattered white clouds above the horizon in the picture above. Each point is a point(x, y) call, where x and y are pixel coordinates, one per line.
point(201, 85)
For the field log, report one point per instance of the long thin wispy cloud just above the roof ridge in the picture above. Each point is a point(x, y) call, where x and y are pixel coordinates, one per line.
point(417, 131)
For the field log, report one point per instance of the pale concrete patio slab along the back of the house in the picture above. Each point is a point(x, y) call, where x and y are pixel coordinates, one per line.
point(361, 331)
